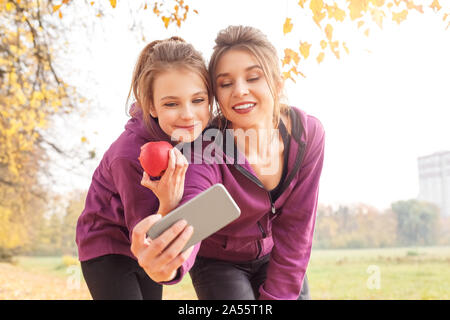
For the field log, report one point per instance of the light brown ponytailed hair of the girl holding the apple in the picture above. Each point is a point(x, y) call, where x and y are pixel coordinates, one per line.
point(157, 57)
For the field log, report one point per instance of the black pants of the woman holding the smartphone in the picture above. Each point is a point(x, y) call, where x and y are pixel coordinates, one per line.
point(222, 280)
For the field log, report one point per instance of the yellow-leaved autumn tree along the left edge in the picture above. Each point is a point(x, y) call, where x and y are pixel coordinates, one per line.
point(31, 93)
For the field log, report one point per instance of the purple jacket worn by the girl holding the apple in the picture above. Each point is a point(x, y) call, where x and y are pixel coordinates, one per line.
point(116, 201)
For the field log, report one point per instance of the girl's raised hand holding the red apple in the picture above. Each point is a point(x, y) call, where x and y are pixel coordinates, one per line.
point(169, 189)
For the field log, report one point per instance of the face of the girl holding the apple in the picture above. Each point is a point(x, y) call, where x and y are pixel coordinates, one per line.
point(180, 102)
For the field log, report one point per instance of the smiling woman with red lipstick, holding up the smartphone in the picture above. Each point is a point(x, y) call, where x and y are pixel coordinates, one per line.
point(265, 252)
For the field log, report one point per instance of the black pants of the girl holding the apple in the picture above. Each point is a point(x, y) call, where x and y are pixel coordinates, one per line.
point(118, 277)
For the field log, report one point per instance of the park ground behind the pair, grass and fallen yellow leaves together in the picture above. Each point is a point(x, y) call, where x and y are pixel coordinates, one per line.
point(403, 273)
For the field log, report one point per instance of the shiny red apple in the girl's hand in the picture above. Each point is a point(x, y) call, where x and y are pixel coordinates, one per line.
point(154, 157)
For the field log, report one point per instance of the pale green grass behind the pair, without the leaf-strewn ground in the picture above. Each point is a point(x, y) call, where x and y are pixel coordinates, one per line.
point(404, 273)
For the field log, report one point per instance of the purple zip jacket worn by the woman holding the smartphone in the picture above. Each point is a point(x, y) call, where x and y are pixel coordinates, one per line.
point(284, 228)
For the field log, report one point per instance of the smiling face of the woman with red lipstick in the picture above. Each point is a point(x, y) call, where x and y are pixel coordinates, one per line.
point(242, 90)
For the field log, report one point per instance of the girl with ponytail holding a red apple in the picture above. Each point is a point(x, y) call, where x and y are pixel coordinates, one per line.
point(172, 91)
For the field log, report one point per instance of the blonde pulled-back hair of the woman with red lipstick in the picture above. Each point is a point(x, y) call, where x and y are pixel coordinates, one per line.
point(256, 43)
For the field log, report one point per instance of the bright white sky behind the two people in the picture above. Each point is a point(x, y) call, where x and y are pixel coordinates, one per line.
point(382, 106)
